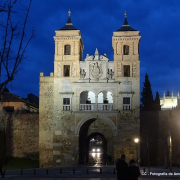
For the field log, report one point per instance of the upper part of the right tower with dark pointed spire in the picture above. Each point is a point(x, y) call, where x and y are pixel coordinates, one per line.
point(125, 44)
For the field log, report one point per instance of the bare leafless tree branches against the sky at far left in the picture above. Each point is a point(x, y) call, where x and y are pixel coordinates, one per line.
point(13, 42)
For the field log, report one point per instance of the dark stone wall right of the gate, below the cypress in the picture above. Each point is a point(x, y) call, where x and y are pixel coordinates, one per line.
point(155, 129)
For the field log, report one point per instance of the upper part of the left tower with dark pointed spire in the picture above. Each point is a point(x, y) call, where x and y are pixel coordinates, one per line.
point(68, 51)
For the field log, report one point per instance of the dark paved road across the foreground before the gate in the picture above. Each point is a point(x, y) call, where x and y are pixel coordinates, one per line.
point(87, 173)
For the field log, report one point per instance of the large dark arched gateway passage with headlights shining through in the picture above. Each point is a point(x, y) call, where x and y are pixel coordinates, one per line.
point(95, 142)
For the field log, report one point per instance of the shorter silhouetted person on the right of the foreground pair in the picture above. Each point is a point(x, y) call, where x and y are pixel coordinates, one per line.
point(133, 170)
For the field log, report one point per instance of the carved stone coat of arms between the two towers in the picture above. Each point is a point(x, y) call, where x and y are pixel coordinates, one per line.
point(96, 70)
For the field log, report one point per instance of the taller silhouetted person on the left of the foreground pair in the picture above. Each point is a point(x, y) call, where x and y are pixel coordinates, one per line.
point(122, 168)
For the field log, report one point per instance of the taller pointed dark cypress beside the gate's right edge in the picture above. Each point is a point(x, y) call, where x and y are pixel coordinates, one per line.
point(146, 96)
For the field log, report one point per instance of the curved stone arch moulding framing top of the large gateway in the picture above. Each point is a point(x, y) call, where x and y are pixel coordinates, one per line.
point(105, 118)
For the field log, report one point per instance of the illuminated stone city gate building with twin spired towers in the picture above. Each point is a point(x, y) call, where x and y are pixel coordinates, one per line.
point(96, 91)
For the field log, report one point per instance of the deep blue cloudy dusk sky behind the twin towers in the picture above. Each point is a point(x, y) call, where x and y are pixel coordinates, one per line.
point(157, 21)
